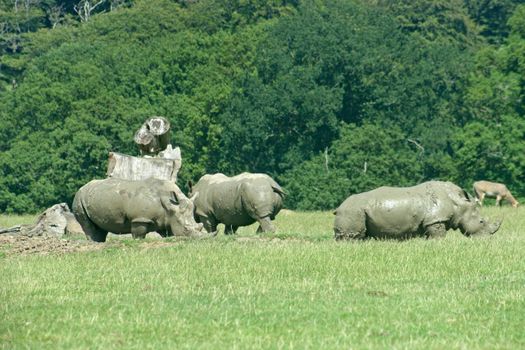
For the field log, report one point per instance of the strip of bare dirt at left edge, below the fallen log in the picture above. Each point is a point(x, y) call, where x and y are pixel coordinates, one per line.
point(24, 245)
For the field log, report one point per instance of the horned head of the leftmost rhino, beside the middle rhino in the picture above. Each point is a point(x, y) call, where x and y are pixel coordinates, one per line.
point(179, 214)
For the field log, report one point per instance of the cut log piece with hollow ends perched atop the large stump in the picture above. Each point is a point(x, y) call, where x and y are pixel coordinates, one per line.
point(153, 136)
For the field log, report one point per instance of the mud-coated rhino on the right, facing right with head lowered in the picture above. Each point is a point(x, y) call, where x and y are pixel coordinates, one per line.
point(428, 210)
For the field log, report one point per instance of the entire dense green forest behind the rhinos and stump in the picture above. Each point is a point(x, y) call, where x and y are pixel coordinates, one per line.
point(329, 97)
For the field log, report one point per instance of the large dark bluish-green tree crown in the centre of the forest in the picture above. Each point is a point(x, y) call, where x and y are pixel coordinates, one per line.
point(314, 71)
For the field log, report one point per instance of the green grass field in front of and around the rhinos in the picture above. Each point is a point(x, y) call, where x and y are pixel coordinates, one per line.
point(295, 289)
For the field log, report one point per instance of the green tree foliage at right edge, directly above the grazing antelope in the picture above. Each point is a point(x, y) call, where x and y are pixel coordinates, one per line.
point(491, 145)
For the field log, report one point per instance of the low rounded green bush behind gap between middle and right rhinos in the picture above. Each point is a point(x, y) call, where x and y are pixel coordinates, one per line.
point(362, 158)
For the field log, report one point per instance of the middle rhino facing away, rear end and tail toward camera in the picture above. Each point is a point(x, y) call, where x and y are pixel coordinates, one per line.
point(237, 201)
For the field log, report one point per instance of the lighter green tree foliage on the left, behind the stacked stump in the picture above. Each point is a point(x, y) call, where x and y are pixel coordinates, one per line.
point(90, 103)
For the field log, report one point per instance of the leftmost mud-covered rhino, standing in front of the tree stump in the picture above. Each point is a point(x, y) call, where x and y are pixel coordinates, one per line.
point(134, 206)
